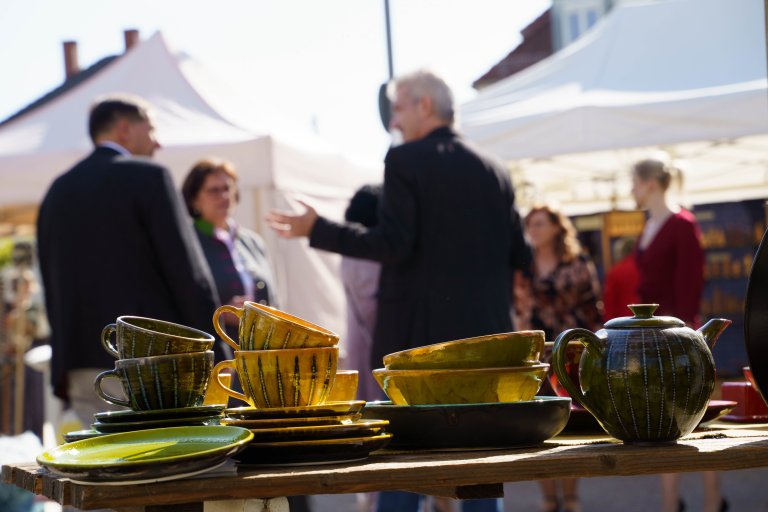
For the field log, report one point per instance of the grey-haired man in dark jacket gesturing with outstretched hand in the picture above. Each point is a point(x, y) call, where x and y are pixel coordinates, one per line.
point(448, 236)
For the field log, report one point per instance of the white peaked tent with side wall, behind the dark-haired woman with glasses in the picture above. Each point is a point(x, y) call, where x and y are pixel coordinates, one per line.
point(42, 143)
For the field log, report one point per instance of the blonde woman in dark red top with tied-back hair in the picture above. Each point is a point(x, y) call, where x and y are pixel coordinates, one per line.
point(670, 258)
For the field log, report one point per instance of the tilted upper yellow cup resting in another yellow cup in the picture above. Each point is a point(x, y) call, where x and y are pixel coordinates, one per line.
point(264, 328)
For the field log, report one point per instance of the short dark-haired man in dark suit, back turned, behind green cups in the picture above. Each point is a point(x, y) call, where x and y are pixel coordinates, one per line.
point(114, 239)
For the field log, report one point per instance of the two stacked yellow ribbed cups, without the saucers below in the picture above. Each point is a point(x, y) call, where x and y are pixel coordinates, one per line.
point(280, 359)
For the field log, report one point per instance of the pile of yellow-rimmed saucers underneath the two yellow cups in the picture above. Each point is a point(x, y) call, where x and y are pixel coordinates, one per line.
point(307, 435)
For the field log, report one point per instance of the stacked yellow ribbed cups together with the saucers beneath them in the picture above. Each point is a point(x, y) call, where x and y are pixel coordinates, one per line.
point(287, 368)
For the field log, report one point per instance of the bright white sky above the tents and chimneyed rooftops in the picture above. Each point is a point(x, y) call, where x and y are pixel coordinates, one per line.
point(316, 64)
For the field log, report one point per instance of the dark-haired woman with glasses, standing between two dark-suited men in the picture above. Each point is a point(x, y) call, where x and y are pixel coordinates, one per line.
point(237, 256)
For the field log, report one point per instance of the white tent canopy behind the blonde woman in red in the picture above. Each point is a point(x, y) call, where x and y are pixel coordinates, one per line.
point(687, 77)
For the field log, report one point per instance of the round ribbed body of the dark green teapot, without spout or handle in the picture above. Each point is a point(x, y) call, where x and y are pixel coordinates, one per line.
point(648, 385)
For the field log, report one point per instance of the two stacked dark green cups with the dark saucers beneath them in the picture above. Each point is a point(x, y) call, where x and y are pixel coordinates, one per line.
point(164, 369)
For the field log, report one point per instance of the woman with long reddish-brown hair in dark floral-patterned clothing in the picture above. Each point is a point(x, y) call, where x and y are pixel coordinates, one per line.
point(560, 291)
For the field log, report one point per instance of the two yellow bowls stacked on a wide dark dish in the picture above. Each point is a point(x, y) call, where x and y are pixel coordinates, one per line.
point(475, 392)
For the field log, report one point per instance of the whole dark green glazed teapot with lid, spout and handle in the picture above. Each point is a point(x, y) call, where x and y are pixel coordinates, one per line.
point(645, 378)
